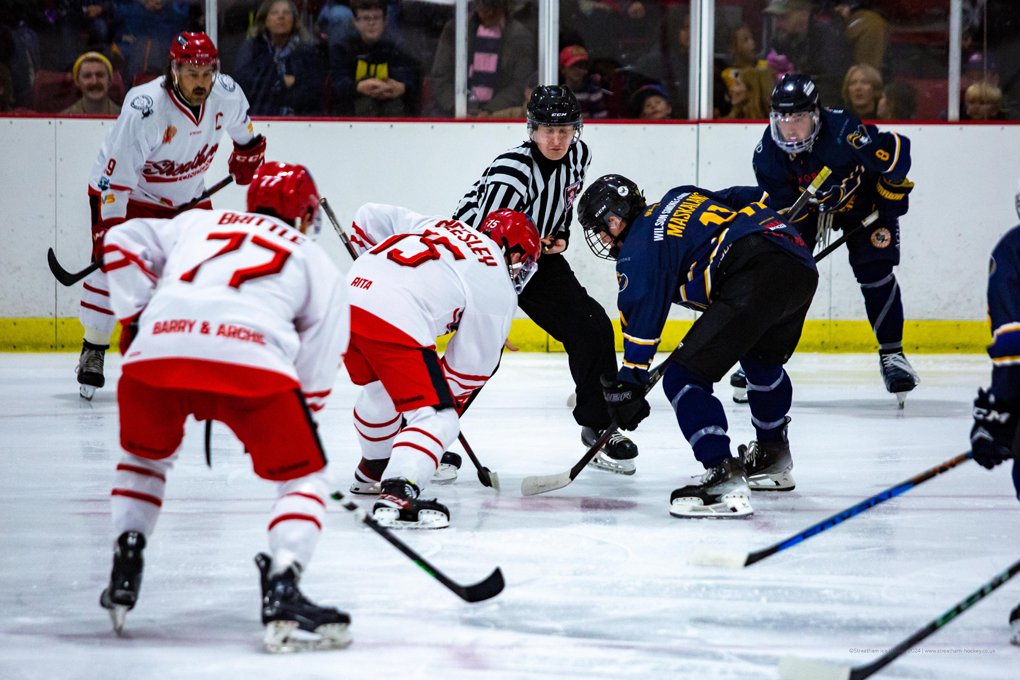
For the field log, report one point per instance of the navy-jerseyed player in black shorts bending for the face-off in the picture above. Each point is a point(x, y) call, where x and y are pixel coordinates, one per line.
point(752, 277)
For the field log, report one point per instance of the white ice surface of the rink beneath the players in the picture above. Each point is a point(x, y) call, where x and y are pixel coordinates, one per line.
point(599, 584)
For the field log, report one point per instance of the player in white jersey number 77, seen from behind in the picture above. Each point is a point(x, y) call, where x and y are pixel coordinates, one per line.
point(237, 318)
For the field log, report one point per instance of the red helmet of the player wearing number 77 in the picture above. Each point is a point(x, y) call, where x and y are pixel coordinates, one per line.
point(286, 191)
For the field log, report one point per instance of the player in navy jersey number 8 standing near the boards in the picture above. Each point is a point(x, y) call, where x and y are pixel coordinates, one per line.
point(870, 173)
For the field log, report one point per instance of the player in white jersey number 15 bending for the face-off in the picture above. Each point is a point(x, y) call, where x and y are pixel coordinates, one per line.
point(419, 279)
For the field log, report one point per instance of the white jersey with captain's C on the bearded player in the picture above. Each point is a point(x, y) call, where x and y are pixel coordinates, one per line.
point(159, 150)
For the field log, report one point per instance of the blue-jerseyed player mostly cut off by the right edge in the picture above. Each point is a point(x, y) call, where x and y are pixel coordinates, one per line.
point(995, 439)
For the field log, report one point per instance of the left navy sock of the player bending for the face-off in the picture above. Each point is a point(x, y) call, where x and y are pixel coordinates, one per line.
point(699, 414)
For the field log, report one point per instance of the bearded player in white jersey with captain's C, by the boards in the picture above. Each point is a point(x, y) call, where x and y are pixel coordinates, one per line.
point(155, 161)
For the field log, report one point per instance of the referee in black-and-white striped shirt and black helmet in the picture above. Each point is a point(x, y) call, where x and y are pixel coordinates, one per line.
point(542, 178)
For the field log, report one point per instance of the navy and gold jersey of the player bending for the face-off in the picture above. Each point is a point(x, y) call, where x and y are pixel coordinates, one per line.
point(673, 253)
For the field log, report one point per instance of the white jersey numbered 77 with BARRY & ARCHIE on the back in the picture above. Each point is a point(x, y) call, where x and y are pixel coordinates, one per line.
point(230, 288)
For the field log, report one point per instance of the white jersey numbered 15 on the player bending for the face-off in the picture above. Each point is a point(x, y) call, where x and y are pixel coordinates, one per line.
point(428, 277)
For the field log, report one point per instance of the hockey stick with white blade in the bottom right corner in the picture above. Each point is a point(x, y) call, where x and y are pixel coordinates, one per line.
point(794, 668)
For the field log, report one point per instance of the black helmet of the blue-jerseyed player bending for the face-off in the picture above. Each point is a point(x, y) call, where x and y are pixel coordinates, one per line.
point(609, 195)
